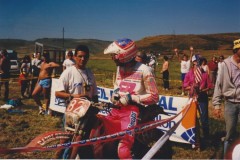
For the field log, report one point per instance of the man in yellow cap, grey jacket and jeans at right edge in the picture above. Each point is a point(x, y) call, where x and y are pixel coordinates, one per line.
point(227, 88)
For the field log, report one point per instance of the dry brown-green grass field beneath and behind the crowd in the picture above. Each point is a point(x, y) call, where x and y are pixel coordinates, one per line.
point(18, 129)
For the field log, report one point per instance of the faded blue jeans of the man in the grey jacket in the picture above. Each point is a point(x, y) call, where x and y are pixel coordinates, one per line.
point(231, 112)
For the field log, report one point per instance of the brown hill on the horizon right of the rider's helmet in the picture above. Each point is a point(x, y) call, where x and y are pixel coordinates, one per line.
point(203, 42)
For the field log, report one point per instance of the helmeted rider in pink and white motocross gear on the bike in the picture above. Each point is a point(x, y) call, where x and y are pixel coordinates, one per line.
point(135, 84)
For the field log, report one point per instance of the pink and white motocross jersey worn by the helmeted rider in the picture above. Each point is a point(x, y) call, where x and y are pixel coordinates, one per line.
point(138, 81)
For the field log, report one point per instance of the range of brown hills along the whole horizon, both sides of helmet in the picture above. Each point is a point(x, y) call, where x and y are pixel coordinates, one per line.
point(159, 43)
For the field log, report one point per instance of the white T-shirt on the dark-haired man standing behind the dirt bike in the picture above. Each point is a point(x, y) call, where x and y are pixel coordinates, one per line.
point(77, 81)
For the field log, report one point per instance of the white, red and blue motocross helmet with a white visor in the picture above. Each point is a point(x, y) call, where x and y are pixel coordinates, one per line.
point(125, 50)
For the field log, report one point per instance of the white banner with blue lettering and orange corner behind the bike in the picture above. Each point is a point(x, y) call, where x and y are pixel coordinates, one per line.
point(185, 133)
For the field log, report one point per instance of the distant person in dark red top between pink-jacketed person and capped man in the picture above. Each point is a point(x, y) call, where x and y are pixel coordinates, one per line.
point(213, 67)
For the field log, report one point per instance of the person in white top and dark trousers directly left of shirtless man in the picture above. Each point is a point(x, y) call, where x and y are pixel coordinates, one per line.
point(36, 66)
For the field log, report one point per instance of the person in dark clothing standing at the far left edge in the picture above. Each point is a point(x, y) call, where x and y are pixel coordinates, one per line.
point(5, 67)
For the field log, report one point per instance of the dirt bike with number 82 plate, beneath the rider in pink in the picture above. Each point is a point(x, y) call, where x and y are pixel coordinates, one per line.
point(83, 121)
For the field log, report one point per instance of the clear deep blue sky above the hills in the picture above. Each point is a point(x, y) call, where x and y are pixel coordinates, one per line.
point(114, 19)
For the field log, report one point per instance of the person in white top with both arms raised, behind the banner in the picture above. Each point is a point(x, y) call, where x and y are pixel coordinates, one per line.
point(185, 65)
